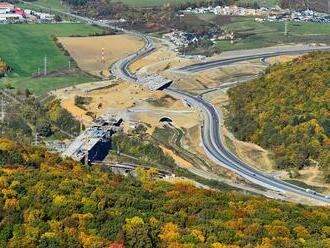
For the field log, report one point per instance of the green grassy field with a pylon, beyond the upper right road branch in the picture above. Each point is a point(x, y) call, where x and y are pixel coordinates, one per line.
point(255, 35)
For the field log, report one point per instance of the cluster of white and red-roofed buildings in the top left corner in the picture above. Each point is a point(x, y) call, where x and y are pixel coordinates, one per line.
point(9, 13)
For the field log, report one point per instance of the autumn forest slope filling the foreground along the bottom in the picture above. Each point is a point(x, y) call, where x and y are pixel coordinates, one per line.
point(49, 202)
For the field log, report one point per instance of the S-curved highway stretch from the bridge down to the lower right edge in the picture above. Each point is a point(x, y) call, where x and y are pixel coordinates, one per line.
point(214, 147)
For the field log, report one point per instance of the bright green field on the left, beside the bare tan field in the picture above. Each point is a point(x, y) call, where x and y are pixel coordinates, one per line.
point(24, 47)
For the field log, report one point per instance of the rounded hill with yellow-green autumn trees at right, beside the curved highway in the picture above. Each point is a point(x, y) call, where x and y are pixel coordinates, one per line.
point(287, 111)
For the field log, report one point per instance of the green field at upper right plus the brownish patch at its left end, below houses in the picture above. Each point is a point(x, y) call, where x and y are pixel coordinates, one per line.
point(251, 34)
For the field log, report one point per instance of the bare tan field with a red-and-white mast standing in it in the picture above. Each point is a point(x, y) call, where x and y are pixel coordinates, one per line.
point(87, 51)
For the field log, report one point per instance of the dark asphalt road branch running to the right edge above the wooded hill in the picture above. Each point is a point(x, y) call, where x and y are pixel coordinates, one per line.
point(228, 61)
